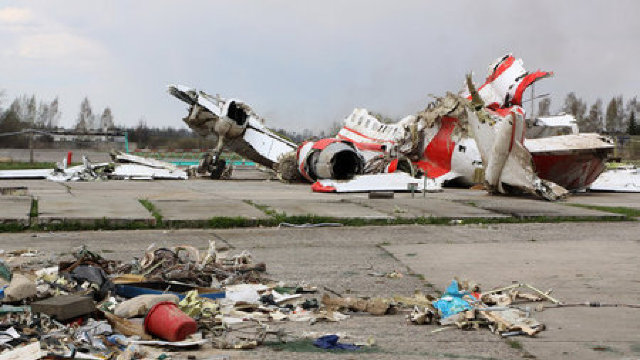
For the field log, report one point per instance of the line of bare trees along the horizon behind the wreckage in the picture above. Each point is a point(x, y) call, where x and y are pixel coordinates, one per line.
point(26, 111)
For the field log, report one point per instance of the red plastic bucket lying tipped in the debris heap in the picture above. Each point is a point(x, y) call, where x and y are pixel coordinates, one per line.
point(166, 321)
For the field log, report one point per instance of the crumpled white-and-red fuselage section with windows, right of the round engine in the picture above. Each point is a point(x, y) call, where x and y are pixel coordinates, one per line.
point(437, 147)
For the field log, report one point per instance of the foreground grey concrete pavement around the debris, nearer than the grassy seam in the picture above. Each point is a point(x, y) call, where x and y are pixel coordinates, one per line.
point(580, 261)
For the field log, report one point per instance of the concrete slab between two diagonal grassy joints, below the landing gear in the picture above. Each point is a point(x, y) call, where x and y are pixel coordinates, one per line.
point(205, 209)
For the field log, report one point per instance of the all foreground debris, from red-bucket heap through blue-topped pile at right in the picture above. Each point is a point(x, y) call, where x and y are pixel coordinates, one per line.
point(181, 298)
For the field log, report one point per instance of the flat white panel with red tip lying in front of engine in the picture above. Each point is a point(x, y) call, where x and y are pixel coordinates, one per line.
point(377, 182)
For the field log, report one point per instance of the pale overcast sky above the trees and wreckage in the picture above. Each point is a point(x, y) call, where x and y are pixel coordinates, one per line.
point(303, 64)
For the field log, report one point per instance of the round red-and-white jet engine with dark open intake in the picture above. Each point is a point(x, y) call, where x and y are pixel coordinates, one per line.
point(329, 159)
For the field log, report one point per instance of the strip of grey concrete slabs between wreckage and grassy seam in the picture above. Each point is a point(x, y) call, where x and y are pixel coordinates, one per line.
point(93, 201)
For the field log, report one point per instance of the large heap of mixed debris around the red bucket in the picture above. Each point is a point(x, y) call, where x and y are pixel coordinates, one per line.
point(168, 298)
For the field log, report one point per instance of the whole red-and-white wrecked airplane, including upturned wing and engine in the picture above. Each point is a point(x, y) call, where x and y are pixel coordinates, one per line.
point(477, 136)
